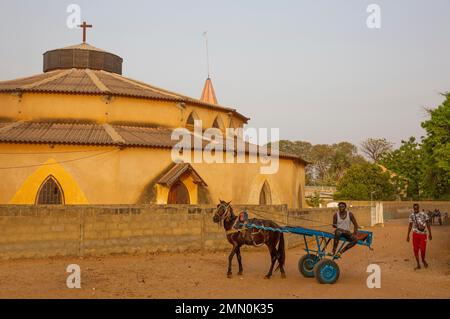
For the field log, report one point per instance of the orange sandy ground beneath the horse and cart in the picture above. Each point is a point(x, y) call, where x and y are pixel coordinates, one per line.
point(196, 275)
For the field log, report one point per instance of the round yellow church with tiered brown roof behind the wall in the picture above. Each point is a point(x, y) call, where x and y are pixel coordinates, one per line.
point(82, 133)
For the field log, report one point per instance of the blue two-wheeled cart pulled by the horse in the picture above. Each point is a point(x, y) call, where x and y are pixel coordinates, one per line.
point(317, 262)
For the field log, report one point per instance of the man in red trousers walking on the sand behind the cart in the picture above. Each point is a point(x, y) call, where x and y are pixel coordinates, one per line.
point(419, 222)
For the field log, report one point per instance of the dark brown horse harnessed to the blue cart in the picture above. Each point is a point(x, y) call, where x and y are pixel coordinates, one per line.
point(252, 237)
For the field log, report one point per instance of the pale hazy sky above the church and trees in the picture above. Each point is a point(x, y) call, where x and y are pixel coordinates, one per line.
point(311, 68)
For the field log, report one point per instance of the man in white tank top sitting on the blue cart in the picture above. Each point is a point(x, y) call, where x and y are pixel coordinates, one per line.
point(342, 221)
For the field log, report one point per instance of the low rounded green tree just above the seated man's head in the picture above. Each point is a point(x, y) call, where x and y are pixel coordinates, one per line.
point(363, 180)
